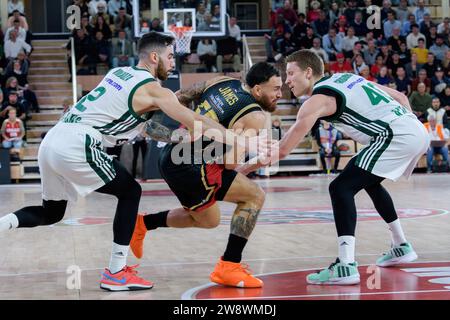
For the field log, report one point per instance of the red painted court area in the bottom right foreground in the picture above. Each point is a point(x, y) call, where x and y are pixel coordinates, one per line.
point(415, 281)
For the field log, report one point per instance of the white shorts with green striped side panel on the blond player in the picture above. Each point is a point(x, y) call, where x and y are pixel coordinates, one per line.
point(395, 152)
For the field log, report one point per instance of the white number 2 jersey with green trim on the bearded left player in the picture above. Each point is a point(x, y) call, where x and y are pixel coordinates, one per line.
point(108, 108)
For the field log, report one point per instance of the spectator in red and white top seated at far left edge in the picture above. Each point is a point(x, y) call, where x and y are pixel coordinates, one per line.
point(13, 131)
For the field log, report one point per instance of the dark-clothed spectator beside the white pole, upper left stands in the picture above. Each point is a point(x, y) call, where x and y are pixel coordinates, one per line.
point(84, 53)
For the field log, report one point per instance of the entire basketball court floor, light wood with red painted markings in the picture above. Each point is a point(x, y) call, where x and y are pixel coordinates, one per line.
point(295, 235)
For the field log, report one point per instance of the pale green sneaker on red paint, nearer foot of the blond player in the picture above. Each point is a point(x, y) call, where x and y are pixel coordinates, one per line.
point(337, 274)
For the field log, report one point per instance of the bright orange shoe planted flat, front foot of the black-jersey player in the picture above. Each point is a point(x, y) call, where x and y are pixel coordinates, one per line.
point(235, 275)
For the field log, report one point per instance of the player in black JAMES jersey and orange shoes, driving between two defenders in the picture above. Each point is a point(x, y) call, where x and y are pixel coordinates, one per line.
point(204, 178)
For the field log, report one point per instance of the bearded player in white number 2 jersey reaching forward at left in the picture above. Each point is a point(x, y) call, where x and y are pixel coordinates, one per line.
point(72, 161)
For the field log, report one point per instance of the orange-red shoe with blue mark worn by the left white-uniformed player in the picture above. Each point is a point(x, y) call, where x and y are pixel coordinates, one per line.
point(124, 280)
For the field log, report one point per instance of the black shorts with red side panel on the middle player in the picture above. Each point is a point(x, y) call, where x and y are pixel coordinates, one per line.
point(197, 186)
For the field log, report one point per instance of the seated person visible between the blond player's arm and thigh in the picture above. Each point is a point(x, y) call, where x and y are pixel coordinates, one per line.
point(327, 139)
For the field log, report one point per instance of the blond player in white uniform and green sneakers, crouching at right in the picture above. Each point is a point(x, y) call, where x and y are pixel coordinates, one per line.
point(370, 114)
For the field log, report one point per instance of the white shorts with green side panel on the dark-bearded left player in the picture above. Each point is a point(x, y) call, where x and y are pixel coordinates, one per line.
point(72, 162)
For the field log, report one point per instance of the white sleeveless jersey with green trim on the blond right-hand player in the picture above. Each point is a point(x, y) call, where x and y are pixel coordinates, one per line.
point(364, 111)
